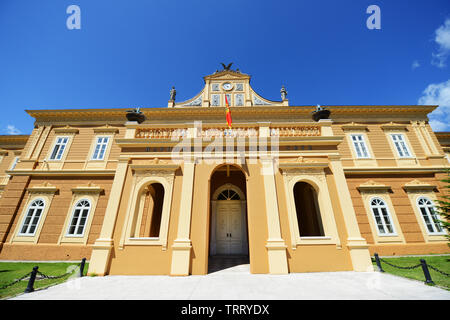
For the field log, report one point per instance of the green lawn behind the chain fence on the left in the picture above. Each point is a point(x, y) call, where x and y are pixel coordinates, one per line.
point(11, 271)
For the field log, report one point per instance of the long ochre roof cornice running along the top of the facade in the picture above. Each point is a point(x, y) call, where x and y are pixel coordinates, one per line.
point(117, 115)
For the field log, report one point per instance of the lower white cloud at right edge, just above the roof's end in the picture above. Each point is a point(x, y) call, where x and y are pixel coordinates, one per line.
point(438, 94)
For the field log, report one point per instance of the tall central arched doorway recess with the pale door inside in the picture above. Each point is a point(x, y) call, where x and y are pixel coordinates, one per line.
point(228, 229)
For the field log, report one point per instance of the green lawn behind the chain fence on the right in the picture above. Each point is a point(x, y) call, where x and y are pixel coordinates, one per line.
point(440, 262)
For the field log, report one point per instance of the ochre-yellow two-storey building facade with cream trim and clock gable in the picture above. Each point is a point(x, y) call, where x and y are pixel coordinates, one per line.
point(168, 194)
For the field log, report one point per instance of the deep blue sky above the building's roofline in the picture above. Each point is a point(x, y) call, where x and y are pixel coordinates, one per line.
point(130, 53)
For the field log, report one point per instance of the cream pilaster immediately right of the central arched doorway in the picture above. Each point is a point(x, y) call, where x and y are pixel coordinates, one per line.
point(275, 244)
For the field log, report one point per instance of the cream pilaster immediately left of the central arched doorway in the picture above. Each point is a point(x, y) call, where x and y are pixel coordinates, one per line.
point(181, 249)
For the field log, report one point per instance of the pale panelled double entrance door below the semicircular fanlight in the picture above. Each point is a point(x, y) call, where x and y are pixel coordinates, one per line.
point(229, 235)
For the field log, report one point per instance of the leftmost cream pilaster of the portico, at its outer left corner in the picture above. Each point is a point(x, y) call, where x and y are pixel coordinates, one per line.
point(101, 250)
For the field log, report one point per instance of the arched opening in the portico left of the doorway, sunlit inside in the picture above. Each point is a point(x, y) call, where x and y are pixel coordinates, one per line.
point(150, 211)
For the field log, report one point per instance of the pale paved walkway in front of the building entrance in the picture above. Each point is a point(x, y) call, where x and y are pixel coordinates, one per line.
point(236, 283)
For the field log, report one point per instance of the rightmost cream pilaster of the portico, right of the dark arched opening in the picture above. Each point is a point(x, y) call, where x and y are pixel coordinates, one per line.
point(357, 245)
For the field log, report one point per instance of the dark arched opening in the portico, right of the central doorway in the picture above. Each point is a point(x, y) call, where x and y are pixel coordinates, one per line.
point(308, 212)
